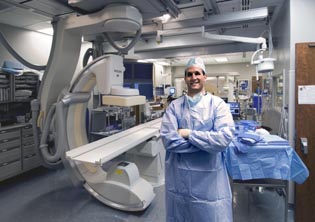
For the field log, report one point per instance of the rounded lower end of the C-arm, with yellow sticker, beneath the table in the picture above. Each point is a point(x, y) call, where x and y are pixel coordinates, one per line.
point(123, 188)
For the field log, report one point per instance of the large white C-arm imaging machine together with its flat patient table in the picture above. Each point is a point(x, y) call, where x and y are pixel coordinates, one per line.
point(60, 114)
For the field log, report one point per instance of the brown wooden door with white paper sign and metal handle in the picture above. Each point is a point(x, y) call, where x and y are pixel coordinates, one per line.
point(305, 127)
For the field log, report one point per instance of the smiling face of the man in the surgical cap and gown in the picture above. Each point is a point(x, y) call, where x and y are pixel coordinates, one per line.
point(195, 80)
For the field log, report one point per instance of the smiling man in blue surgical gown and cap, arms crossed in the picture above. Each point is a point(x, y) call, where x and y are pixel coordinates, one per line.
point(196, 129)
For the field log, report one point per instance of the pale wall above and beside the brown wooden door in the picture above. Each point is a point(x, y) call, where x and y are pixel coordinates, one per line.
point(293, 26)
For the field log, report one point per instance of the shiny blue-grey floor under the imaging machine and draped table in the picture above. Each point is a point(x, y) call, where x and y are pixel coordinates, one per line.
point(44, 195)
